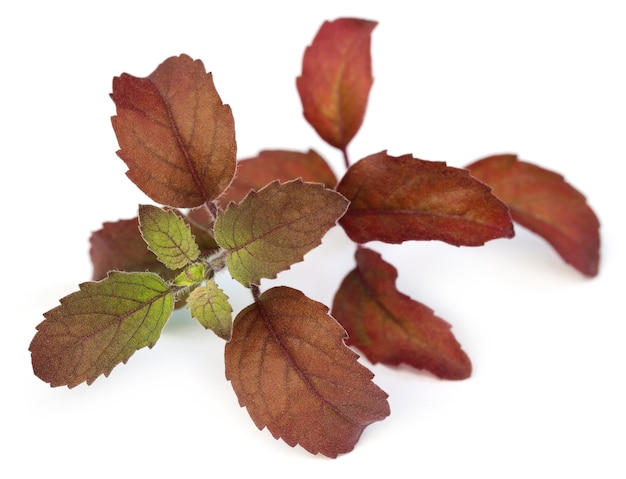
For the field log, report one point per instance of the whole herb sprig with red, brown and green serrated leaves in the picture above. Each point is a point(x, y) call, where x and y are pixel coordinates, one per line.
point(290, 359)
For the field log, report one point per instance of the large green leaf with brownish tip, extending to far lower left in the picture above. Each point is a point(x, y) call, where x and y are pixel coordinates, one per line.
point(100, 326)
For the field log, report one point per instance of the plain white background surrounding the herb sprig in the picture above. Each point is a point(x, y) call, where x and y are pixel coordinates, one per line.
point(454, 81)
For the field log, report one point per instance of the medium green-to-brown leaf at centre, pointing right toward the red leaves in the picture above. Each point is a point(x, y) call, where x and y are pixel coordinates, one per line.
point(273, 228)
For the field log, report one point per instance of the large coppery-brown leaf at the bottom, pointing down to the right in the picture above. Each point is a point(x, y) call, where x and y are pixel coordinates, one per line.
point(289, 365)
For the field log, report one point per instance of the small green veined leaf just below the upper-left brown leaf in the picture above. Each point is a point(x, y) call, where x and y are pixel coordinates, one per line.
point(168, 236)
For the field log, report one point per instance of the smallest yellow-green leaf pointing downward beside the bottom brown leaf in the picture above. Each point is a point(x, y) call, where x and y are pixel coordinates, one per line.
point(210, 306)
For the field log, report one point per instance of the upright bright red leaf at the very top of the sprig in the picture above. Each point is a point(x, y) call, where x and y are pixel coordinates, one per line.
point(336, 79)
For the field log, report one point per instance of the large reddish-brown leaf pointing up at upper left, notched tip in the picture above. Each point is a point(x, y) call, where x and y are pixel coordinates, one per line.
point(175, 135)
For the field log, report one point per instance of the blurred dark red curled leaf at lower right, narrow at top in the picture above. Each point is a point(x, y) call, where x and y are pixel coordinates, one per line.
point(390, 327)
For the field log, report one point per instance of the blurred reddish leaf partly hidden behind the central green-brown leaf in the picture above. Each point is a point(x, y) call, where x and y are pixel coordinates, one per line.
point(283, 165)
